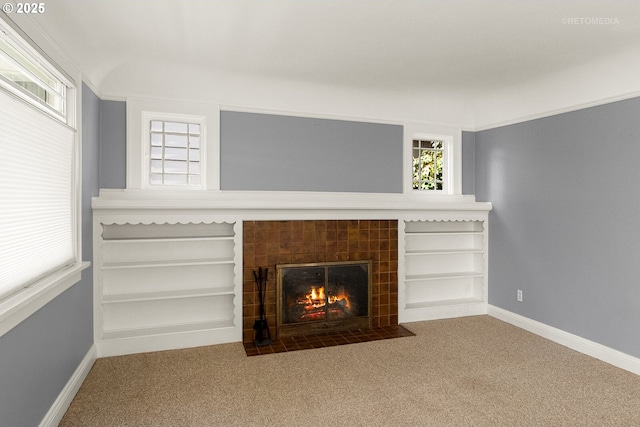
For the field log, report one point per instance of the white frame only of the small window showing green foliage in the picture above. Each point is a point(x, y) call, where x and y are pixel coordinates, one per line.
point(452, 168)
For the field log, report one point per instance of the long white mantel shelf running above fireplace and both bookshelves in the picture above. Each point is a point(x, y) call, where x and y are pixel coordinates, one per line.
point(286, 205)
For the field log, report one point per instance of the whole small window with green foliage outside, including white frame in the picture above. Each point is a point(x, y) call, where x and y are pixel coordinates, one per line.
point(433, 160)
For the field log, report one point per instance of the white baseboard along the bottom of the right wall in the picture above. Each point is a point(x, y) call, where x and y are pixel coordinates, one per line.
point(574, 342)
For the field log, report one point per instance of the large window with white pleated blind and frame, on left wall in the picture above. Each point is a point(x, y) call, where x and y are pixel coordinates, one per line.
point(38, 180)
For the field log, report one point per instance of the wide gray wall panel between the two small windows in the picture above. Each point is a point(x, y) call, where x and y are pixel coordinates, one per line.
point(271, 152)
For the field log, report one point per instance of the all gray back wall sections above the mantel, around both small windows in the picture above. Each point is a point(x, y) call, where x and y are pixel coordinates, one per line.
point(377, 150)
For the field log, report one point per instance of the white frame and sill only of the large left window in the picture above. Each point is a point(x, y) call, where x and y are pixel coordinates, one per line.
point(21, 304)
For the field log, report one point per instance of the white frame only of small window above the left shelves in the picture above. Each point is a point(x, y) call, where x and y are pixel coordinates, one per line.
point(139, 114)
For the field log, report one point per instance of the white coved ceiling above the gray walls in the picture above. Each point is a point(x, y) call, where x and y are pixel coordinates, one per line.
point(476, 54)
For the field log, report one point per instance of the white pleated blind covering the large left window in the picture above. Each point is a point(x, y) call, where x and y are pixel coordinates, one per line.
point(36, 194)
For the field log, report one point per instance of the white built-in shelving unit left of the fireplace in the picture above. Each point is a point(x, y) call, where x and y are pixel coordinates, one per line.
point(165, 286)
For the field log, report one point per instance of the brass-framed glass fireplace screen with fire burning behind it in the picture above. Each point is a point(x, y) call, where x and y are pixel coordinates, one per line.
point(315, 297)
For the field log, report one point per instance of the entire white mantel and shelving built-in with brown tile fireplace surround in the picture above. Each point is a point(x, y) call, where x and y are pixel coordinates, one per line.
point(175, 269)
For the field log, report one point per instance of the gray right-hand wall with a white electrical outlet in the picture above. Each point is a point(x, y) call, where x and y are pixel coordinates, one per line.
point(564, 222)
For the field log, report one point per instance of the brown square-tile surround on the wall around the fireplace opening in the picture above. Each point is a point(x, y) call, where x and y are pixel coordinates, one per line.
point(268, 243)
